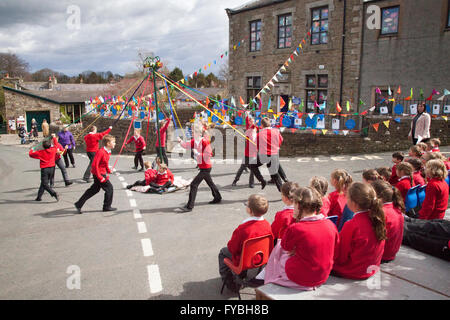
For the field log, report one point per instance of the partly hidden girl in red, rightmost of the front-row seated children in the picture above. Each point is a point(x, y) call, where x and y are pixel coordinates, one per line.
point(394, 208)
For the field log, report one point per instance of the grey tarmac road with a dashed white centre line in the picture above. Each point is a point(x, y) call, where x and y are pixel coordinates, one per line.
point(144, 250)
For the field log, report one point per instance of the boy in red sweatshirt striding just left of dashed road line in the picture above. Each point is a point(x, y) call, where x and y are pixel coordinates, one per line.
point(100, 170)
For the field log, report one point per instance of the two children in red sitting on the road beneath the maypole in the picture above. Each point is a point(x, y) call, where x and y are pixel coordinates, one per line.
point(159, 180)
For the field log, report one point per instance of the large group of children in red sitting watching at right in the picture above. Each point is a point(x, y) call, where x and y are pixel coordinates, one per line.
point(370, 216)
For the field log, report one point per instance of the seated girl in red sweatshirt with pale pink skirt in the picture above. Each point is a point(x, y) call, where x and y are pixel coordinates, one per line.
point(304, 258)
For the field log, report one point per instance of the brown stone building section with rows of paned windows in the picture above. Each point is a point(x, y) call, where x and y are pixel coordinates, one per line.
point(327, 71)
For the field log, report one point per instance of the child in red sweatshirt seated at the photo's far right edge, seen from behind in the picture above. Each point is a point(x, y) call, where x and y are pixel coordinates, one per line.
point(436, 192)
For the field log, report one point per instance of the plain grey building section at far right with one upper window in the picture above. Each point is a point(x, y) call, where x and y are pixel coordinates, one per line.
point(409, 50)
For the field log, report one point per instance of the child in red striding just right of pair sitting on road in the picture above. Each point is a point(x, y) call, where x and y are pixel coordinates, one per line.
point(202, 149)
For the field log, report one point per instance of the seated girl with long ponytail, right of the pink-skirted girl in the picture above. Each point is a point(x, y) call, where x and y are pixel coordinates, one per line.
point(362, 239)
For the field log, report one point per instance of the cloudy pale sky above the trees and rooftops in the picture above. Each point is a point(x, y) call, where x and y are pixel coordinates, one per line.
point(184, 33)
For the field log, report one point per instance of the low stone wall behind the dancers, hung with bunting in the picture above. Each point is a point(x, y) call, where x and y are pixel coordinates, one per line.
point(298, 143)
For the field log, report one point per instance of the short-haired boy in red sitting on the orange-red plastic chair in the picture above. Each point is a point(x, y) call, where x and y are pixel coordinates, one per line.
point(253, 227)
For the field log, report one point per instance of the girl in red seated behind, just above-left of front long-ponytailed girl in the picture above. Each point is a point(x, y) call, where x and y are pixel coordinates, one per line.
point(340, 180)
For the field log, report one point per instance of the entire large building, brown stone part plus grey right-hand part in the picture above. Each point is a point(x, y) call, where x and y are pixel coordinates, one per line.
point(345, 59)
